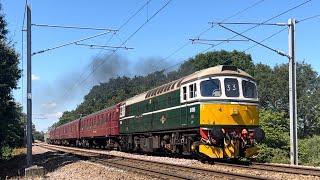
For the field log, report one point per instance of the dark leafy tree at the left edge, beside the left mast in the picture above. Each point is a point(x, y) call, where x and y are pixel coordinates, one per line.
point(11, 128)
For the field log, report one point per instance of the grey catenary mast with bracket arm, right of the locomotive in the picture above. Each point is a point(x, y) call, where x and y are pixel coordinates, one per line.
point(292, 80)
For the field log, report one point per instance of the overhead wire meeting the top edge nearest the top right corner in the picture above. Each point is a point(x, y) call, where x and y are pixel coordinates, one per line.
point(284, 12)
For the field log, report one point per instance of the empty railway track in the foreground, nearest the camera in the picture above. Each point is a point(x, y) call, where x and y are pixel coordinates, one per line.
point(152, 168)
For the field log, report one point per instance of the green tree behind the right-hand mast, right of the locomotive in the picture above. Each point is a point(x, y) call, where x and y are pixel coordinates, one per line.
point(273, 92)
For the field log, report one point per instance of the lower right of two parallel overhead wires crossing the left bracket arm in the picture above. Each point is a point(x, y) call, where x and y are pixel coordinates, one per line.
point(99, 65)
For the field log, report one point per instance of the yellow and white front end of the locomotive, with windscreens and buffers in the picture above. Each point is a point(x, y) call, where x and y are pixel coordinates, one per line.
point(229, 117)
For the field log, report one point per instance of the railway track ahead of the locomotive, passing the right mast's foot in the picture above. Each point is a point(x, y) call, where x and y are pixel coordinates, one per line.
point(276, 168)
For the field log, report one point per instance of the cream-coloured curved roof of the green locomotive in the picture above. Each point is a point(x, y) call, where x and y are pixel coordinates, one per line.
point(174, 85)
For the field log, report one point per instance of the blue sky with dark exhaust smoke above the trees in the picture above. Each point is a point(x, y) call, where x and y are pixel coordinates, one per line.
point(156, 38)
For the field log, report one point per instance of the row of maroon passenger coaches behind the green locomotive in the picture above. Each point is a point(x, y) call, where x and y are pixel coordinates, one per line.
point(98, 129)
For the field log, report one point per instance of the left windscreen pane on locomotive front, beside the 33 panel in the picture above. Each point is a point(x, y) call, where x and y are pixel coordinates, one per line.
point(210, 88)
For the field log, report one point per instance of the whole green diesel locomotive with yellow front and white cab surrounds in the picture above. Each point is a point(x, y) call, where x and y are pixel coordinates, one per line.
point(211, 112)
